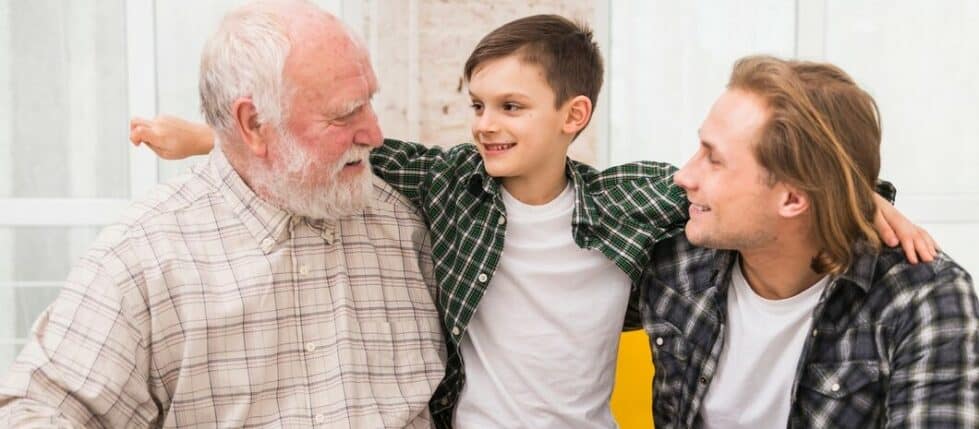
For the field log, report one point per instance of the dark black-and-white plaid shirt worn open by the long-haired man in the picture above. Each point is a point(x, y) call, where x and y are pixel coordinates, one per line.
point(892, 344)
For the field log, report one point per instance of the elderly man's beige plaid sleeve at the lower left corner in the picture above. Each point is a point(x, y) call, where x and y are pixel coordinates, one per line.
point(101, 379)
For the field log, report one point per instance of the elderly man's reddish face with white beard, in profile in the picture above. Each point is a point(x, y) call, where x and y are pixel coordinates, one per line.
point(322, 151)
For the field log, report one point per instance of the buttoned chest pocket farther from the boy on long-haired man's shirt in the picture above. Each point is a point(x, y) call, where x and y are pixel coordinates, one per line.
point(848, 389)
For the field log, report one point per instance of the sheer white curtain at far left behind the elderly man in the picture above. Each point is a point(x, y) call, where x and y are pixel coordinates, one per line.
point(63, 116)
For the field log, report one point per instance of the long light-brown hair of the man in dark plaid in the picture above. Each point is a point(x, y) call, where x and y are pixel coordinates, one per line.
point(823, 137)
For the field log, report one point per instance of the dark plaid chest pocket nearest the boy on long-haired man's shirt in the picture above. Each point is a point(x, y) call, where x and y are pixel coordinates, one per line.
point(671, 361)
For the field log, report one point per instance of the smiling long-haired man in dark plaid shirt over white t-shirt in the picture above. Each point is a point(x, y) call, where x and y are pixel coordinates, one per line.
point(791, 314)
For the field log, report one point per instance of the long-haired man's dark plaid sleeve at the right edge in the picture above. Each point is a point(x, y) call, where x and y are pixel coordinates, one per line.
point(935, 365)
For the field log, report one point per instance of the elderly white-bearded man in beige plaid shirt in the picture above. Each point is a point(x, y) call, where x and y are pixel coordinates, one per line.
point(279, 284)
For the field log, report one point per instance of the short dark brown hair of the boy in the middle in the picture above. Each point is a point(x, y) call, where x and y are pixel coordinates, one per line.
point(571, 60)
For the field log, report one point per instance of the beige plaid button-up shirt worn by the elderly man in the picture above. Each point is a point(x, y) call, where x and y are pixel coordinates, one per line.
point(207, 307)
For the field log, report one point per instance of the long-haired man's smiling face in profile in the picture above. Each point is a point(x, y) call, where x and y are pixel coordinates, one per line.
point(732, 205)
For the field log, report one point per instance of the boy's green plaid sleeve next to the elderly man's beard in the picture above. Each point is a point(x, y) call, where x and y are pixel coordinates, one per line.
point(407, 167)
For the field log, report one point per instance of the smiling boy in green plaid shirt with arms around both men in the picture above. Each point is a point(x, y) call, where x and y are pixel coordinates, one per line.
point(536, 256)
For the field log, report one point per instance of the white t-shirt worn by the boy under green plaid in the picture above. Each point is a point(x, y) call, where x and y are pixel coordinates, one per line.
point(540, 350)
